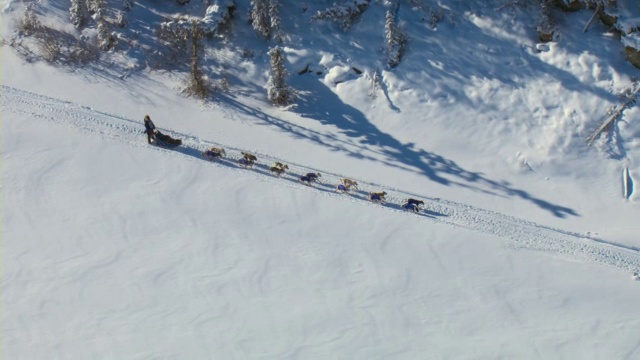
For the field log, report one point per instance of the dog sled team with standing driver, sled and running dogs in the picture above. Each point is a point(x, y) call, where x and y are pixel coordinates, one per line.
point(248, 160)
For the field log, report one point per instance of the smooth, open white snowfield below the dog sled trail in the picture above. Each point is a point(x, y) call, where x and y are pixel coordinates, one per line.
point(112, 249)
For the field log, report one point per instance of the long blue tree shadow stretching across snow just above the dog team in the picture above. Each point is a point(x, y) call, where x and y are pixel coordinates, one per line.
point(366, 136)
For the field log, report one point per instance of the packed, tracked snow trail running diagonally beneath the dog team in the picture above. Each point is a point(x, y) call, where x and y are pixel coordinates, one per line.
point(519, 233)
